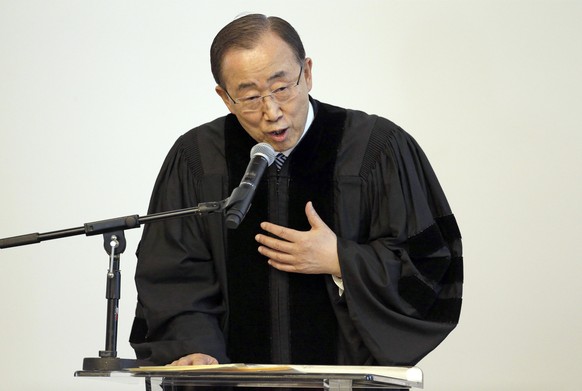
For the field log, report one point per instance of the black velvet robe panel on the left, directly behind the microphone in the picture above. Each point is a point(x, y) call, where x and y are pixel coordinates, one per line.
point(247, 271)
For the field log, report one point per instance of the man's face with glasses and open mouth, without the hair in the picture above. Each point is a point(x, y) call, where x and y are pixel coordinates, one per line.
point(270, 65)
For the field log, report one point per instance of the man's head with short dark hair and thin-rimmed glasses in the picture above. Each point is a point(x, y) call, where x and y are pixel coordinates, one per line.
point(263, 77)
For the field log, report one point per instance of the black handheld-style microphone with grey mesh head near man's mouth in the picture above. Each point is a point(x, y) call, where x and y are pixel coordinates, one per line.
point(239, 202)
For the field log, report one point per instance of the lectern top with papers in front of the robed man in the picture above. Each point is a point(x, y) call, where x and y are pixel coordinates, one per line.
point(273, 376)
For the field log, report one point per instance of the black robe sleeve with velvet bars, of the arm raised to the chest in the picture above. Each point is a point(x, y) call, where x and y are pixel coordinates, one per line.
point(403, 275)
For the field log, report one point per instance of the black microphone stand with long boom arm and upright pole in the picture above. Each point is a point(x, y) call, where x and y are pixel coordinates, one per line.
point(113, 231)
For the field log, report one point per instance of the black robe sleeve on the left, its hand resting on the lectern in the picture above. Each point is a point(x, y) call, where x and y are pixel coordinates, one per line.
point(179, 298)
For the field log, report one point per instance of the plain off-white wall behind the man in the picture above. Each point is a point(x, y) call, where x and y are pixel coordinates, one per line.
point(94, 93)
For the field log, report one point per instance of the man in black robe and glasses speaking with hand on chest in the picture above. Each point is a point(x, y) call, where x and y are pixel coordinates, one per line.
point(349, 254)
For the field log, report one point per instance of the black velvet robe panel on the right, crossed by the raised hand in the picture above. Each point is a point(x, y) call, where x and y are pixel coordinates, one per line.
point(312, 166)
